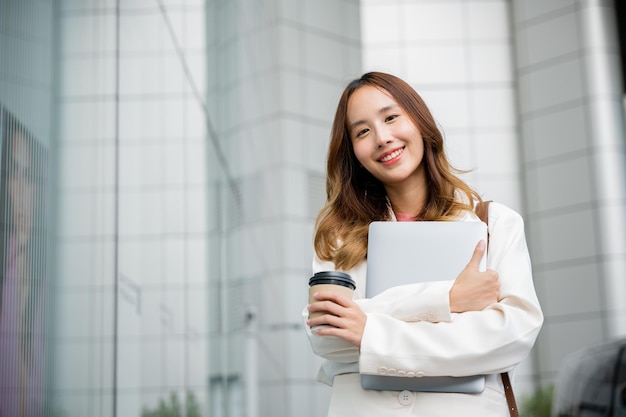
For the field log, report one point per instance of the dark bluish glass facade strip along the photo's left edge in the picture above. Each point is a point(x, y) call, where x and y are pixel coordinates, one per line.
point(26, 218)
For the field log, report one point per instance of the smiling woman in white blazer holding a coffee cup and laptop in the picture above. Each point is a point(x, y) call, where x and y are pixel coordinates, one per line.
point(386, 162)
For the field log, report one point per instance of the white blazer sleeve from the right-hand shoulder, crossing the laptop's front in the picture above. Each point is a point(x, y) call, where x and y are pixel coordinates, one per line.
point(479, 342)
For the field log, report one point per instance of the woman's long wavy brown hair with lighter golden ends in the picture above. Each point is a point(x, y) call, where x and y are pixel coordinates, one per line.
point(354, 198)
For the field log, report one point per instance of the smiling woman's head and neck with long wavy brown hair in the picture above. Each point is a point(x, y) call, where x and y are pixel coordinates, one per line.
point(356, 193)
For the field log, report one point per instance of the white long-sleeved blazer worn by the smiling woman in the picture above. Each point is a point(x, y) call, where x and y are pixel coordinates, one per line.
point(411, 332)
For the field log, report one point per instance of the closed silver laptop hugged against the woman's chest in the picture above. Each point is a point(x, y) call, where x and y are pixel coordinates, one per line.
point(401, 253)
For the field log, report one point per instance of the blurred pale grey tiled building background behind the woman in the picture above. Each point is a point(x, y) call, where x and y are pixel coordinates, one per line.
point(163, 163)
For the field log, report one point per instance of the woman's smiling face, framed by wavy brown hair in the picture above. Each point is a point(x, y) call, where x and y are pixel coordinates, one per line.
point(384, 138)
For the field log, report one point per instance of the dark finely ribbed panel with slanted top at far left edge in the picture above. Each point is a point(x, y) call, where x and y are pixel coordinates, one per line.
point(22, 371)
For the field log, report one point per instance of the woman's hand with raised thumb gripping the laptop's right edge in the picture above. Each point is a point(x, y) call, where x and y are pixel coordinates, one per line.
point(474, 290)
